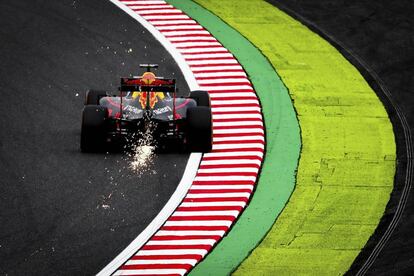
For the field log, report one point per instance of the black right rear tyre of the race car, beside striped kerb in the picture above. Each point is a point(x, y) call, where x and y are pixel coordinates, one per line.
point(199, 132)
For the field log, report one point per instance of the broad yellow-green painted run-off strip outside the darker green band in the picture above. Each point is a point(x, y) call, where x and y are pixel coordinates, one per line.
point(347, 164)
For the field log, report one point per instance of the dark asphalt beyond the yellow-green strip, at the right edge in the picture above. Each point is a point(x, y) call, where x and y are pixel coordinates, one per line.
point(381, 33)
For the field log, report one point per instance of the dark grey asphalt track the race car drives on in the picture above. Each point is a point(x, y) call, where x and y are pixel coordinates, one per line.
point(63, 212)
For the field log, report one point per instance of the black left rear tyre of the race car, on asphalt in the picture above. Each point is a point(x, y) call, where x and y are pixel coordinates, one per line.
point(93, 128)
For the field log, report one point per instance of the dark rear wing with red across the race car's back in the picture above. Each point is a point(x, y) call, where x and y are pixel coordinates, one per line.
point(136, 84)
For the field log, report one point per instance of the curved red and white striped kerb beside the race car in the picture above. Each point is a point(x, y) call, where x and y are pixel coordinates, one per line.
point(226, 177)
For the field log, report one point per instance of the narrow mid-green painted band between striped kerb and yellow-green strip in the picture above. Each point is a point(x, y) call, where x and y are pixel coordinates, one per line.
point(282, 150)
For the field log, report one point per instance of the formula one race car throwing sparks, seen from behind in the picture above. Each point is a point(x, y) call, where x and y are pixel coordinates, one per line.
point(143, 103)
